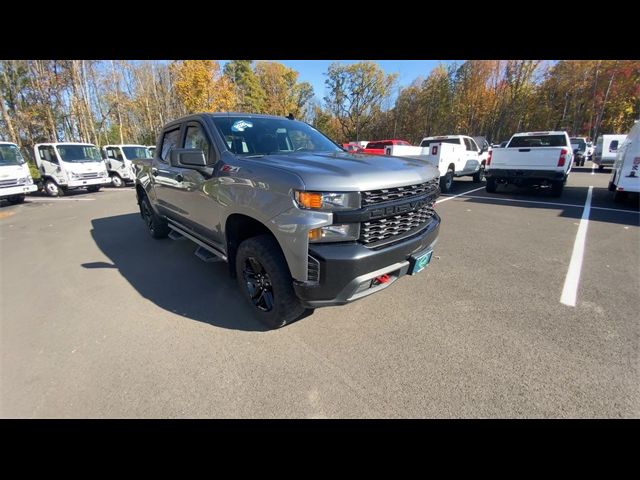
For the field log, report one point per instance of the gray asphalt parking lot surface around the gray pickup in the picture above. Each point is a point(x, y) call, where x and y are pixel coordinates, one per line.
point(99, 320)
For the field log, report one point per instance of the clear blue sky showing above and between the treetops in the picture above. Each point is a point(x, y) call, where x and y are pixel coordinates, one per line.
point(312, 70)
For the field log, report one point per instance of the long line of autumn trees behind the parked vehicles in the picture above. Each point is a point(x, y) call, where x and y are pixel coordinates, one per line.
point(117, 101)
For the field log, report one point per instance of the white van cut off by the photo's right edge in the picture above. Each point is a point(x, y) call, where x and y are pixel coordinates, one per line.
point(625, 175)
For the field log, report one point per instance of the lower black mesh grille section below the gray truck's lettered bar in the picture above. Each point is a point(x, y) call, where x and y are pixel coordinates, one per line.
point(380, 232)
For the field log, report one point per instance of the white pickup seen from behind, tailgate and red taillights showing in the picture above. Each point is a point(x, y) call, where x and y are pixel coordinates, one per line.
point(532, 158)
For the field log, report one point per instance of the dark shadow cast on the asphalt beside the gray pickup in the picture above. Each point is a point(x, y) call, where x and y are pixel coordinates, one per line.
point(167, 273)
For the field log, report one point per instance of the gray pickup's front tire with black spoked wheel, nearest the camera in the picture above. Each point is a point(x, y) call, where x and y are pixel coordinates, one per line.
point(265, 281)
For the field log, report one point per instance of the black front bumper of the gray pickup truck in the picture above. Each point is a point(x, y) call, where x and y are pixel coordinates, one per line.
point(346, 269)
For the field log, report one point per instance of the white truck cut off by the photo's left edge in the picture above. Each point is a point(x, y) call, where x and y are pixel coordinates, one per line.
point(15, 177)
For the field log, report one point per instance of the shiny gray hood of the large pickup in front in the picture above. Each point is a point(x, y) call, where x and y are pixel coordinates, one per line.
point(351, 172)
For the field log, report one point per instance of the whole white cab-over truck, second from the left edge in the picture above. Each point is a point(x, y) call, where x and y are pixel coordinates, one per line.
point(68, 165)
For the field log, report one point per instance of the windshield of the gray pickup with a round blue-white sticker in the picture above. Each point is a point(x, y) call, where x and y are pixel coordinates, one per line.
point(263, 136)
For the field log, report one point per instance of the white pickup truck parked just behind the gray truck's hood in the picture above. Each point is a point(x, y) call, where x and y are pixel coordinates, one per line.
point(452, 155)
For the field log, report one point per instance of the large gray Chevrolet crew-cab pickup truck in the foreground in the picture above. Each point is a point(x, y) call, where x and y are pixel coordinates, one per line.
point(301, 222)
